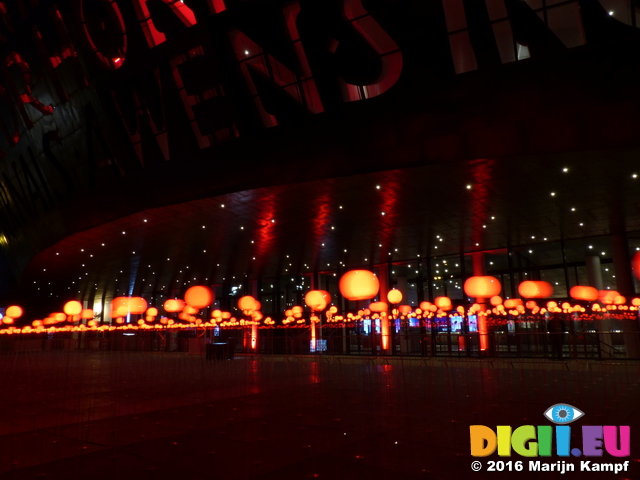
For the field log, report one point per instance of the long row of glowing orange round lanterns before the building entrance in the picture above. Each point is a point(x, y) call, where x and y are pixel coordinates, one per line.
point(355, 285)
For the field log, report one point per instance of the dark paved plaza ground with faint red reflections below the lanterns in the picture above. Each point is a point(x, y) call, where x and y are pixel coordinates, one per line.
point(172, 416)
